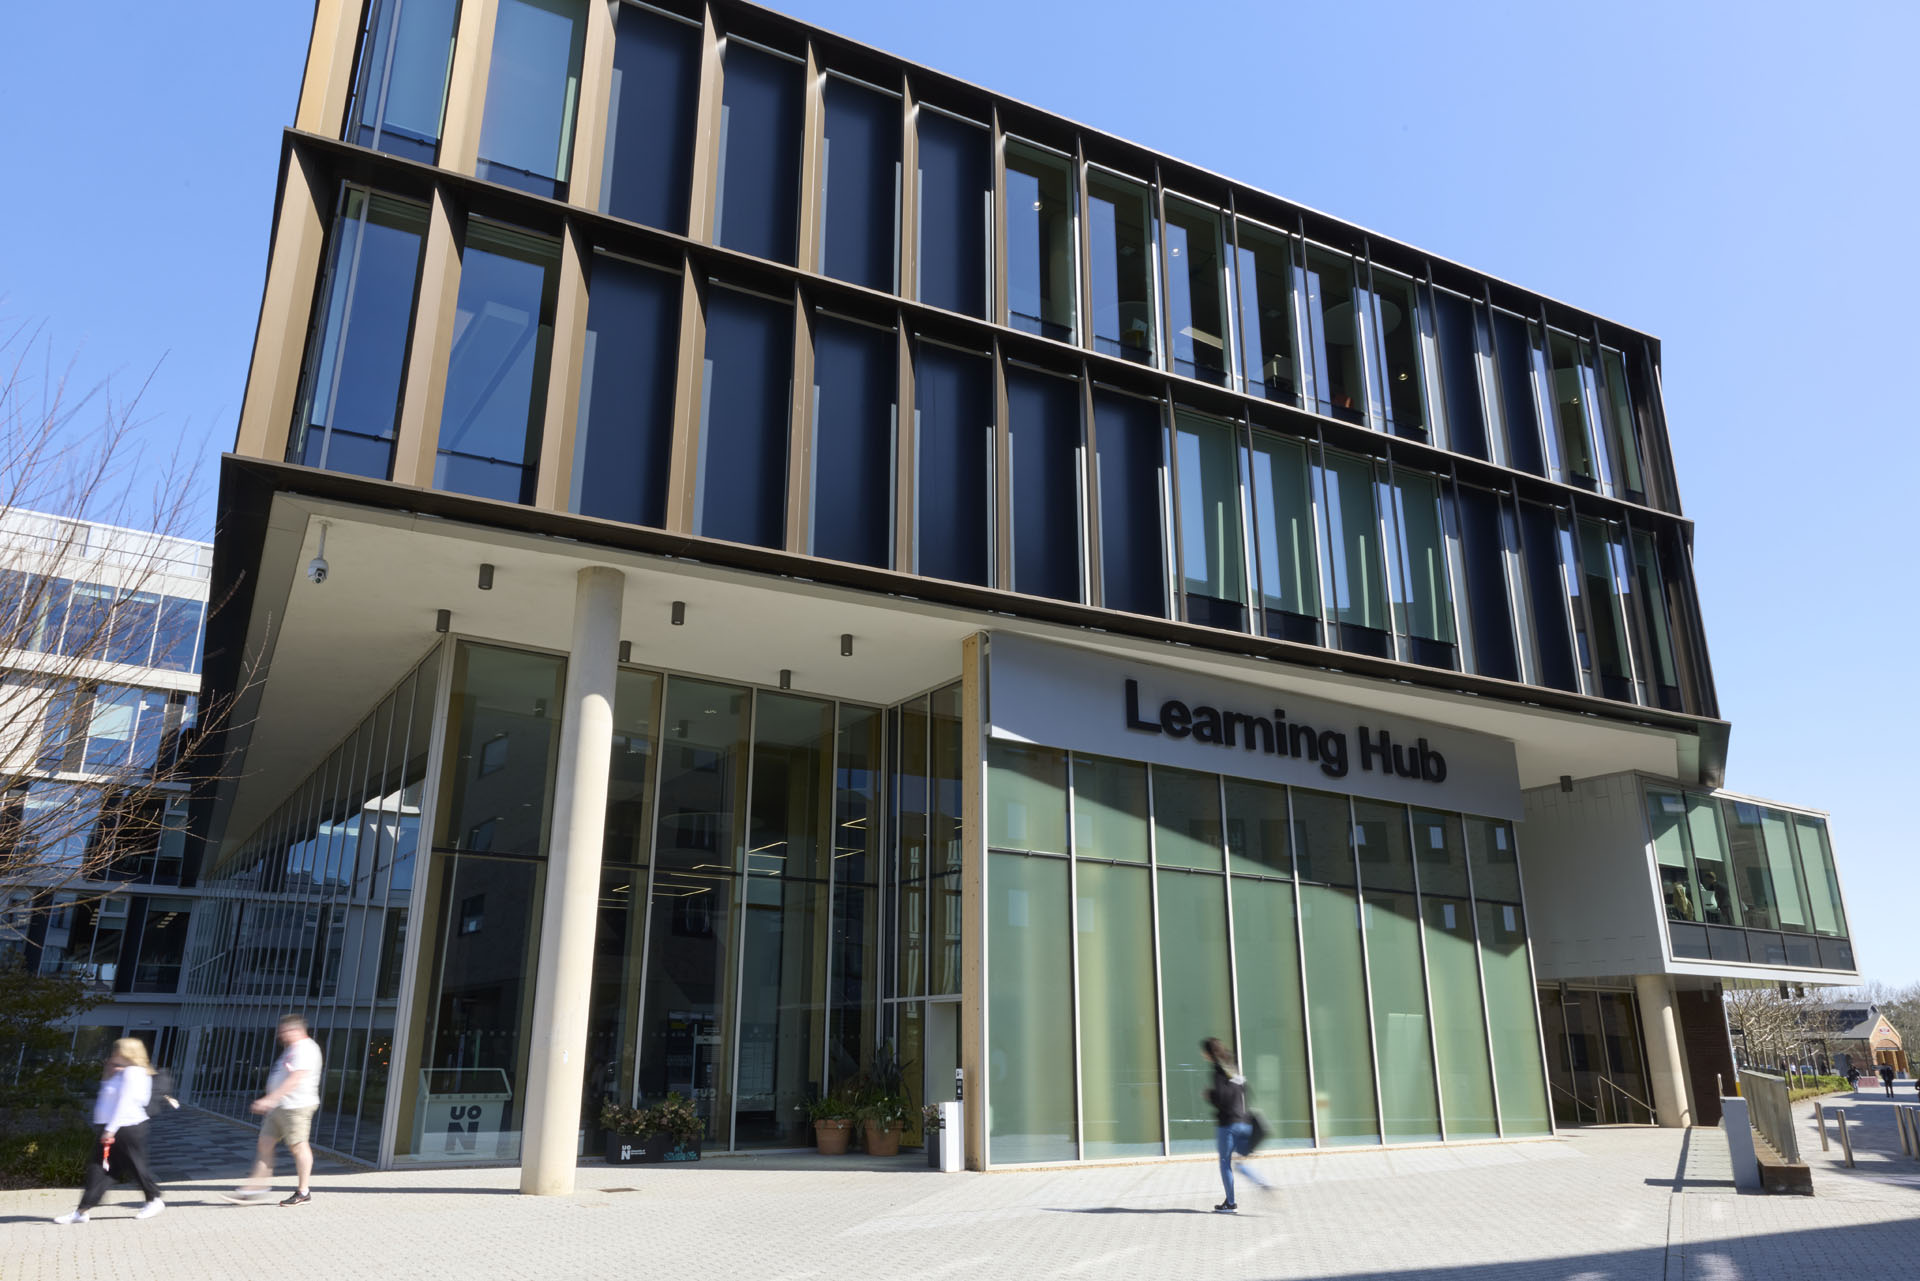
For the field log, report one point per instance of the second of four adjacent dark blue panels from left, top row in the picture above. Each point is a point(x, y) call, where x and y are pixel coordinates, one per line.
point(763, 109)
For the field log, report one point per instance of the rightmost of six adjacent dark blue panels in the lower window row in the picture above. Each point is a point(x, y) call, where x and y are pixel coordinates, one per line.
point(1132, 445)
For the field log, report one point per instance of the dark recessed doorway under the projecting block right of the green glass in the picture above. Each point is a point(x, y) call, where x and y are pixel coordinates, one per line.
point(1596, 1065)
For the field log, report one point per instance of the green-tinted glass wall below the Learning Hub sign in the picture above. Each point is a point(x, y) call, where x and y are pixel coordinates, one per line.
point(1130, 900)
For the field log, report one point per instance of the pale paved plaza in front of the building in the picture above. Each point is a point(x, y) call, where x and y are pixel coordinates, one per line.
point(1598, 1205)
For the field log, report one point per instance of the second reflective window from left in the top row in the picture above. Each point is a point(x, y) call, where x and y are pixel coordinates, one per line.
point(533, 95)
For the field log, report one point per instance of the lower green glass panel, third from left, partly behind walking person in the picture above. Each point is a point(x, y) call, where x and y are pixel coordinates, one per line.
point(1197, 1000)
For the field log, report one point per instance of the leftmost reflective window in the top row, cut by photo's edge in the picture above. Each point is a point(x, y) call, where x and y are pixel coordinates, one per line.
point(400, 91)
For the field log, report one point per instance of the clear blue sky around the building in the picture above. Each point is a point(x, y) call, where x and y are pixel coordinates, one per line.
point(1737, 180)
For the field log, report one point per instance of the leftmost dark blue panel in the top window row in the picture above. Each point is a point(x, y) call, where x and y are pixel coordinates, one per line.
point(652, 120)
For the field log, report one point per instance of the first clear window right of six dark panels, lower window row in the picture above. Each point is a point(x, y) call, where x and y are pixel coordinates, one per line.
point(1212, 548)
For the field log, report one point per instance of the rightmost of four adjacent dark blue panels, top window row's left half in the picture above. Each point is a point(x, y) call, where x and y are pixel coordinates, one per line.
point(955, 185)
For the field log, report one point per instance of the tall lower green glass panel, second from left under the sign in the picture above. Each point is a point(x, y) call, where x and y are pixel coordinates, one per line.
point(1120, 1050)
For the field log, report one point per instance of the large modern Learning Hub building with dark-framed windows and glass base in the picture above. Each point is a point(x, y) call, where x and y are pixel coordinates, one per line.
point(825, 562)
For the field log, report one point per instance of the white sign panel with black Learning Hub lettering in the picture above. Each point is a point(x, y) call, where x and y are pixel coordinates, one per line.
point(1088, 702)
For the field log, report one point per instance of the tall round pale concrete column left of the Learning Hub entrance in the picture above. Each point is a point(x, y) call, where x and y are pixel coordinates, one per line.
point(565, 975)
